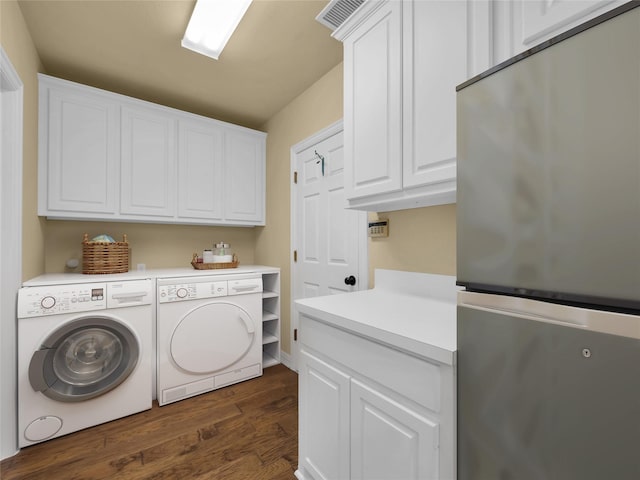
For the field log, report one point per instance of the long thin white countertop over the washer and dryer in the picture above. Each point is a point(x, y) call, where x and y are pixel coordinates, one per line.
point(71, 278)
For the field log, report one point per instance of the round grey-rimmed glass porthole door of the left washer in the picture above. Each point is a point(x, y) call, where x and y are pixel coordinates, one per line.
point(84, 359)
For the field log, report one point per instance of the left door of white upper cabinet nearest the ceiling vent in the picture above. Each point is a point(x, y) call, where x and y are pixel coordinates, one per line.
point(373, 110)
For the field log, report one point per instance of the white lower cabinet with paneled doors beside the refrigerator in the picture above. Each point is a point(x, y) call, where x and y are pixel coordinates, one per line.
point(369, 411)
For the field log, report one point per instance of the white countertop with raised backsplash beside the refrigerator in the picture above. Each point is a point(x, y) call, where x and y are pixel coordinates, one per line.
point(410, 311)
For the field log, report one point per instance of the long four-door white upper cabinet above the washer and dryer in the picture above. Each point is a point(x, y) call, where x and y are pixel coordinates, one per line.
point(104, 156)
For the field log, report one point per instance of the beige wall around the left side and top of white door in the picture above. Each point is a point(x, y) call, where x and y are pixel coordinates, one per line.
point(313, 110)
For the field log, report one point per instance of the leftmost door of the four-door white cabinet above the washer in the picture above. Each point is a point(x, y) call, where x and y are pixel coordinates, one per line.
point(82, 153)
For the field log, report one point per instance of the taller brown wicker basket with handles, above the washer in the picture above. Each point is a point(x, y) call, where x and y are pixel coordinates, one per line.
point(105, 257)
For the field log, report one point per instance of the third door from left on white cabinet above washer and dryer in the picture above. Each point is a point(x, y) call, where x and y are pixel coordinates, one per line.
point(200, 181)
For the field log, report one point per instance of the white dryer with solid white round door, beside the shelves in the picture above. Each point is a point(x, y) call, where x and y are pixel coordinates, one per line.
point(209, 333)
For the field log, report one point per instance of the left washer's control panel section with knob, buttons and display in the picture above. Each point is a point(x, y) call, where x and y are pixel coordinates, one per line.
point(55, 299)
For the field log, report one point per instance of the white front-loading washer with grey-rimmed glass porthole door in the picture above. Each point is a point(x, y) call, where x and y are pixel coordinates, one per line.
point(84, 356)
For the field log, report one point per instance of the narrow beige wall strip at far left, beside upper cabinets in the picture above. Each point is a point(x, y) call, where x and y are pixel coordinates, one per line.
point(17, 43)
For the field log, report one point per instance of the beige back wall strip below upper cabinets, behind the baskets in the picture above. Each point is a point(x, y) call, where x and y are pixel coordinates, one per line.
point(157, 246)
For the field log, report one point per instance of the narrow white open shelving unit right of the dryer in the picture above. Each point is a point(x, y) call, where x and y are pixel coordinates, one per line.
point(270, 318)
